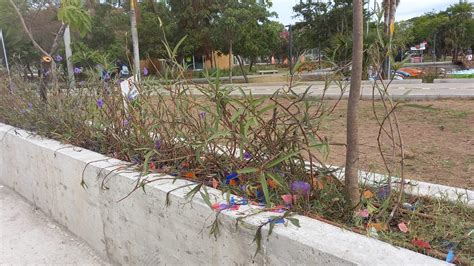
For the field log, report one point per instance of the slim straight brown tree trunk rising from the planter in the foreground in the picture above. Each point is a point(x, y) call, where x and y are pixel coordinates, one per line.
point(352, 150)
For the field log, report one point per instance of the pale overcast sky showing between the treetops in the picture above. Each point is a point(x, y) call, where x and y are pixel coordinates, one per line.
point(406, 10)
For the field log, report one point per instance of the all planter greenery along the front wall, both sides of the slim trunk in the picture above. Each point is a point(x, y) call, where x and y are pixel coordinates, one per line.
point(203, 132)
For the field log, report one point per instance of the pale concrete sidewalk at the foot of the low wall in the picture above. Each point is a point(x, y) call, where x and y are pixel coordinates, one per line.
point(28, 236)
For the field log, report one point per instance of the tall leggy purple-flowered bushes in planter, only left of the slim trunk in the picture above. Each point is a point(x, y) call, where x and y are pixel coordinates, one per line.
point(209, 132)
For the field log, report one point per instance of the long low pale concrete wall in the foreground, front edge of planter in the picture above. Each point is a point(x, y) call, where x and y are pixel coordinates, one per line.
point(142, 230)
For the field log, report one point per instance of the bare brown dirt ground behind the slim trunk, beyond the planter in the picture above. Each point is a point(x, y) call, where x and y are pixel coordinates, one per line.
point(439, 140)
